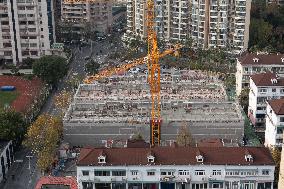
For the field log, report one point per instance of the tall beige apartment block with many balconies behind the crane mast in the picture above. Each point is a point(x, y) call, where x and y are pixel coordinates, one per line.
point(210, 23)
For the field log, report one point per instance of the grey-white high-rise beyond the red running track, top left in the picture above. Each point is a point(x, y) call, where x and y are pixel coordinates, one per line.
point(27, 29)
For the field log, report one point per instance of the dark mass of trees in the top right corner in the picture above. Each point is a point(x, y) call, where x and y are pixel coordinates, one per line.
point(266, 27)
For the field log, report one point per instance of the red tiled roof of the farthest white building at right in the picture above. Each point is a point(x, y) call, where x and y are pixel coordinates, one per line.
point(248, 59)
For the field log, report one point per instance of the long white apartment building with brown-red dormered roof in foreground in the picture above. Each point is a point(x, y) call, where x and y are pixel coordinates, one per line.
point(175, 168)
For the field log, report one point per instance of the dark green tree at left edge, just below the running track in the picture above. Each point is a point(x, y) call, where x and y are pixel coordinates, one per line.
point(12, 126)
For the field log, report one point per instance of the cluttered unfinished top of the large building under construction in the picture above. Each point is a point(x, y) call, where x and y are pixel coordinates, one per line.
point(185, 95)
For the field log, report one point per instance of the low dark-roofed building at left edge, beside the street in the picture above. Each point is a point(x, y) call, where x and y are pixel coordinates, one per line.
point(6, 158)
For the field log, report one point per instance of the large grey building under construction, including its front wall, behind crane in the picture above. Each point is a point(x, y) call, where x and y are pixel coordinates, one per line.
point(119, 107)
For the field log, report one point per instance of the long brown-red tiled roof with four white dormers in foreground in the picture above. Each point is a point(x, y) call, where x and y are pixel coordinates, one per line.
point(177, 156)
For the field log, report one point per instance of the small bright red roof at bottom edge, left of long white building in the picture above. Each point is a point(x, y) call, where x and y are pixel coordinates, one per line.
point(49, 180)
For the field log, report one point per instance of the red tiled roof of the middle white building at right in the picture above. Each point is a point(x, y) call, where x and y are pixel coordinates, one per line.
point(265, 79)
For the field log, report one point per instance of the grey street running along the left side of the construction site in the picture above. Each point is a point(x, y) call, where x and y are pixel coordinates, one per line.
point(23, 173)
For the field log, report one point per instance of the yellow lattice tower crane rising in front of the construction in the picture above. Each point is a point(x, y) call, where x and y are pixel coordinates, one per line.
point(154, 71)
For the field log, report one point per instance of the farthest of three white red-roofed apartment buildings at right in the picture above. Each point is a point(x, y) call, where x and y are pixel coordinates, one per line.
point(252, 63)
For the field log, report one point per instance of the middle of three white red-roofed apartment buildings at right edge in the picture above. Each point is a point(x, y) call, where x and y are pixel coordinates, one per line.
point(263, 87)
